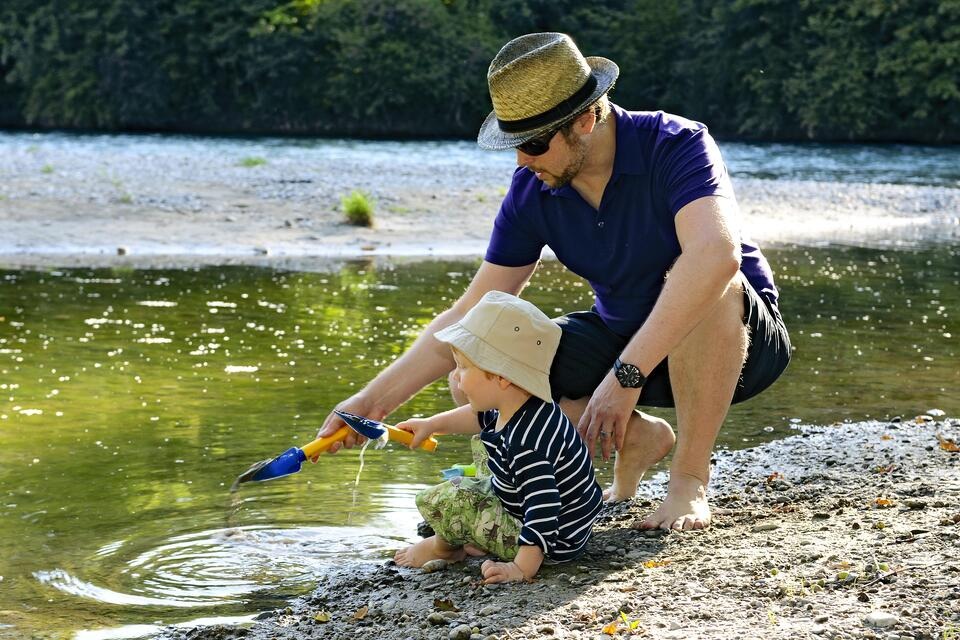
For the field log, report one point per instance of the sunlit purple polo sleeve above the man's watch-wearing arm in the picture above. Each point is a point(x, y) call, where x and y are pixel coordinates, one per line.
point(689, 166)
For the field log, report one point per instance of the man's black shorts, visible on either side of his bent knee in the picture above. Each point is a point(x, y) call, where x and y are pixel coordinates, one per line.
point(588, 348)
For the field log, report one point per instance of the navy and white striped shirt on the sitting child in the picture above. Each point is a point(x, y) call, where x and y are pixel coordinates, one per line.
point(544, 477)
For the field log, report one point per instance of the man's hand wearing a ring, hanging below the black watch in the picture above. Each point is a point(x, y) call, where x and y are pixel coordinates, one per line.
point(607, 415)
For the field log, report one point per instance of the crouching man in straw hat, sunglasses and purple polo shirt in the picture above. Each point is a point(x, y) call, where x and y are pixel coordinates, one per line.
point(639, 204)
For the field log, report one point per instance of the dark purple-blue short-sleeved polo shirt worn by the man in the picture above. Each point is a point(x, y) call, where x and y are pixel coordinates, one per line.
point(623, 249)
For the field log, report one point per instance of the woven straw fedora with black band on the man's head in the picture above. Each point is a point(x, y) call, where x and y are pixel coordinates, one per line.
point(538, 81)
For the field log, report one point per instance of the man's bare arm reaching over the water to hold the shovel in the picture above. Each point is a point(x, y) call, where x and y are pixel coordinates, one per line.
point(427, 359)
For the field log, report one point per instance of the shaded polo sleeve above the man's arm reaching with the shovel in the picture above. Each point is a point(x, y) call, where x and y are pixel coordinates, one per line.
point(515, 242)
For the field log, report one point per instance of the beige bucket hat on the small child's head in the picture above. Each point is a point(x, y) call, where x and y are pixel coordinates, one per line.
point(510, 337)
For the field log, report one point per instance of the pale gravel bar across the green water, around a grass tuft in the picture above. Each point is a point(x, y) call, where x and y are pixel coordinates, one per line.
point(187, 202)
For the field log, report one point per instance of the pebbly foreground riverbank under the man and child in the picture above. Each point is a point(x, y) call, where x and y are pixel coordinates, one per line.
point(846, 531)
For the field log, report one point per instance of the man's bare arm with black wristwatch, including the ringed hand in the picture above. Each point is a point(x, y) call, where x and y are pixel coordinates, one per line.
point(709, 259)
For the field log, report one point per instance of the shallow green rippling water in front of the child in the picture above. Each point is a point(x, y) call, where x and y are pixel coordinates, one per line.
point(132, 399)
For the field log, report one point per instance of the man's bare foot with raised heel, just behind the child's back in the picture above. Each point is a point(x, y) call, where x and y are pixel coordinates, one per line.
point(647, 441)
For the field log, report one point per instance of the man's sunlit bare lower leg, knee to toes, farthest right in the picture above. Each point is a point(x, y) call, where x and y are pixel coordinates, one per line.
point(704, 370)
